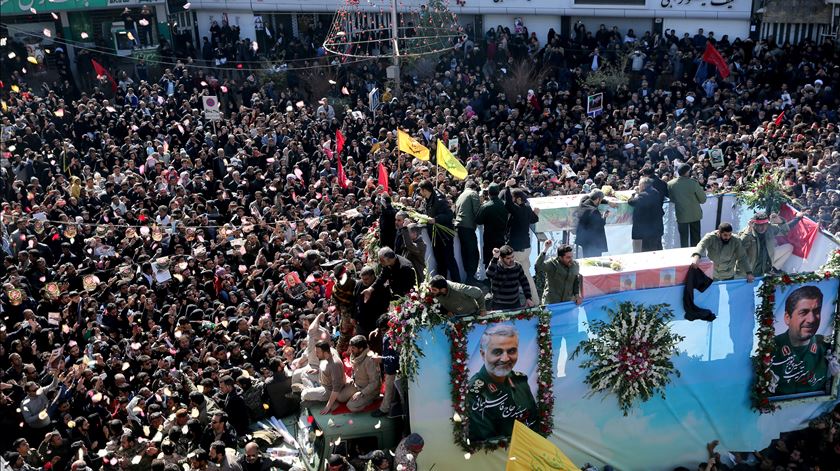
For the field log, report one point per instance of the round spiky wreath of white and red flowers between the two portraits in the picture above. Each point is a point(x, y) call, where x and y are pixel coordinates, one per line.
point(630, 355)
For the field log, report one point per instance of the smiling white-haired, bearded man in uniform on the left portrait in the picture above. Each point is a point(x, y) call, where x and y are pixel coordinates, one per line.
point(497, 395)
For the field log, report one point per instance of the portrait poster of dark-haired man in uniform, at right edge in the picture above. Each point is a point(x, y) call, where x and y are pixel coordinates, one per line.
point(803, 339)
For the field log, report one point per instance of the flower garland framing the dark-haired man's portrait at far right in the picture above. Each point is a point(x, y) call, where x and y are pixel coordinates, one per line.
point(763, 382)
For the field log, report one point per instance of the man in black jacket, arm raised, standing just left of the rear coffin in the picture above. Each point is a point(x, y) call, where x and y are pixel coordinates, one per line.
point(519, 229)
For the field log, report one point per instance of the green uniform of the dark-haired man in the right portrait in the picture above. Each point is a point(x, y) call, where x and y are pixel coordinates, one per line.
point(800, 369)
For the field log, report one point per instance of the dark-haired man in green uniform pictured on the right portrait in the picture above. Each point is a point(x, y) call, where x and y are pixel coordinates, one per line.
point(799, 360)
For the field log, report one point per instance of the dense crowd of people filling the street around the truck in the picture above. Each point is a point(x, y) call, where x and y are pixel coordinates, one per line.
point(170, 281)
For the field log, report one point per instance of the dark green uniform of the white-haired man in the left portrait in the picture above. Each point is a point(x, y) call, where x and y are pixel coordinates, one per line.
point(492, 407)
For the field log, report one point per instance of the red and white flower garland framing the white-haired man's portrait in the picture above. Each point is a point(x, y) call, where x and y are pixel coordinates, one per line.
point(458, 373)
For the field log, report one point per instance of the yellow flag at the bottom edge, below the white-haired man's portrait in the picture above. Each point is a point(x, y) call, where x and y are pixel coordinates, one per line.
point(528, 451)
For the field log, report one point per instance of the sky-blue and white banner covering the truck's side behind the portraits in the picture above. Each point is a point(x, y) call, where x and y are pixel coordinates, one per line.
point(711, 400)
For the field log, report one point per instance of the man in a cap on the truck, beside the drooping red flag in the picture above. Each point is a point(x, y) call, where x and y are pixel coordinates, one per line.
point(759, 241)
